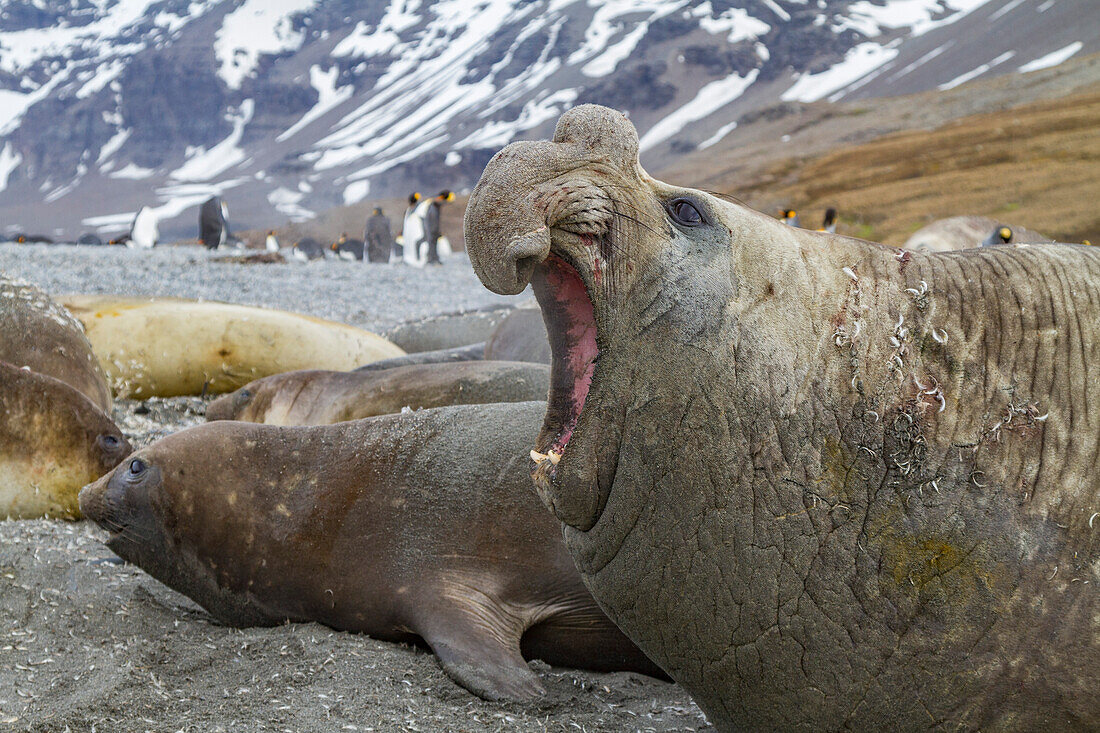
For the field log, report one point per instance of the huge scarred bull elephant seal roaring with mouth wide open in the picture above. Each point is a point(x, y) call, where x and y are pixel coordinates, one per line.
point(824, 484)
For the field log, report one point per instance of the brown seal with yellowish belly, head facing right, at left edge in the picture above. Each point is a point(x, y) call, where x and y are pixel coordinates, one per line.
point(53, 441)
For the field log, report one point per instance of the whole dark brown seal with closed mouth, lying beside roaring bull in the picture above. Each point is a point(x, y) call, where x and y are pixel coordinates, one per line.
point(402, 527)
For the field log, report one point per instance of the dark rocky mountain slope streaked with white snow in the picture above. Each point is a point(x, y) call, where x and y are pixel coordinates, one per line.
point(291, 107)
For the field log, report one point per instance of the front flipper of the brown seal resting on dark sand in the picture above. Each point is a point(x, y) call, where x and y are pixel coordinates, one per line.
point(479, 649)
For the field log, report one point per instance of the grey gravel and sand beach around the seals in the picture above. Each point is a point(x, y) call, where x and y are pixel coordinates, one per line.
point(90, 644)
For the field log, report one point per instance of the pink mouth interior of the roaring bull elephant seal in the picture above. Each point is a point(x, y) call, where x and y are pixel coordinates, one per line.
point(571, 326)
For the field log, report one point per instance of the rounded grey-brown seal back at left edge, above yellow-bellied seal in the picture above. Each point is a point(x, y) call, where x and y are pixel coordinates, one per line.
point(39, 334)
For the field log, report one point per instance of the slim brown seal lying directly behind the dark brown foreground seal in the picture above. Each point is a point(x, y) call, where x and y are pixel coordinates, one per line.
point(321, 398)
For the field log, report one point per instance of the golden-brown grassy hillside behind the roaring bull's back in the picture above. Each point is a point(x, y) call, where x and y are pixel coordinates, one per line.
point(1037, 166)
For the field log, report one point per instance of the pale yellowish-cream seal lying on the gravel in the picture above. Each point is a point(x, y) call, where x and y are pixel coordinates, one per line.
point(169, 347)
